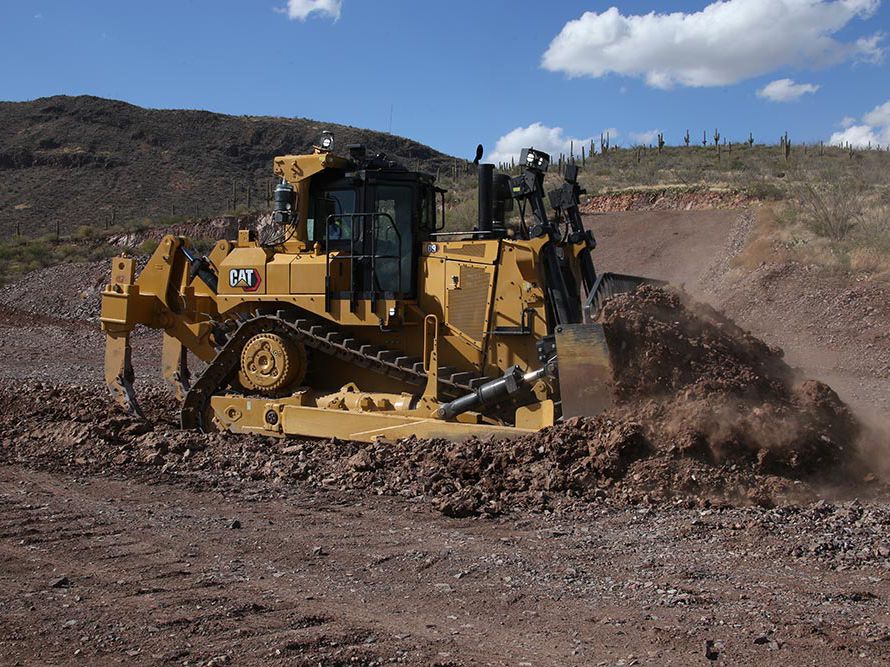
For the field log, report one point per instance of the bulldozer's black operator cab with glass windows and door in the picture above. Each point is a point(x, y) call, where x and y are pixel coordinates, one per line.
point(376, 218)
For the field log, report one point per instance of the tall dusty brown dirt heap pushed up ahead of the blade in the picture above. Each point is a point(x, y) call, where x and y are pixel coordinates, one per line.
point(718, 393)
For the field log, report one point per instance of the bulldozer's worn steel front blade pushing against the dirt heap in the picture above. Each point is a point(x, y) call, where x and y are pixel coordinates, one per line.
point(585, 365)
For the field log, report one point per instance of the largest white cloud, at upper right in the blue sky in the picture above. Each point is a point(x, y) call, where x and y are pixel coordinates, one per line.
point(726, 42)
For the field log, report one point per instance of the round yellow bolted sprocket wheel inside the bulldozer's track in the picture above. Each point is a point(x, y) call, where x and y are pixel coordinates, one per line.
point(271, 363)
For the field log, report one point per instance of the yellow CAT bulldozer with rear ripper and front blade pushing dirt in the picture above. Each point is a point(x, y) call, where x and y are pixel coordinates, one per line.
point(357, 315)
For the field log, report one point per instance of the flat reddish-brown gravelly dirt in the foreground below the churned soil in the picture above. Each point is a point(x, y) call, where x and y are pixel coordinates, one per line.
point(319, 578)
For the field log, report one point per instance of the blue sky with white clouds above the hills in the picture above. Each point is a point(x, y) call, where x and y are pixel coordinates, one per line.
point(462, 72)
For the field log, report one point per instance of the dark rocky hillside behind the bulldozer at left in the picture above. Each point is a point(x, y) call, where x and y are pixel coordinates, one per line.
point(80, 160)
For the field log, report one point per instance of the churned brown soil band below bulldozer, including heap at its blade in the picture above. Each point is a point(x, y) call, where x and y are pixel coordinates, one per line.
point(706, 413)
